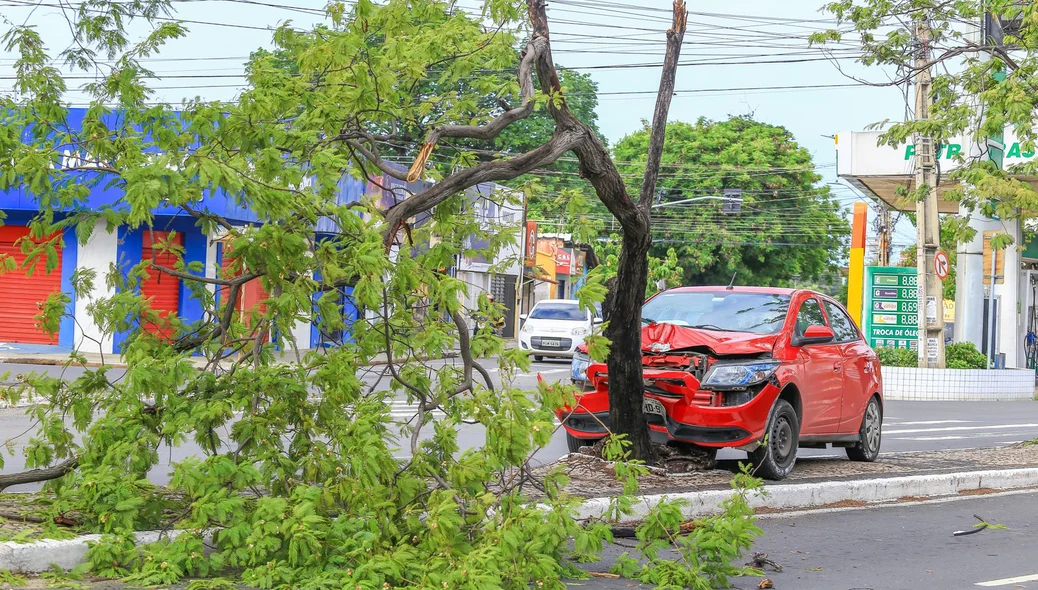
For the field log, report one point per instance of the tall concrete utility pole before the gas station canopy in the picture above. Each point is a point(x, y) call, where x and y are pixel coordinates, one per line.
point(932, 318)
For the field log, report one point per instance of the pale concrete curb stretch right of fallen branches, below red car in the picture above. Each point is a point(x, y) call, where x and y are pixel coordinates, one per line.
point(788, 497)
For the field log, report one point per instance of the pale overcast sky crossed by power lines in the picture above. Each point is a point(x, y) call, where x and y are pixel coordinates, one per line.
point(754, 44)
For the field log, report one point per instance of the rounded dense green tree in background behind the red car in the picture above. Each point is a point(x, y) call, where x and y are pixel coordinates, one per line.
point(788, 227)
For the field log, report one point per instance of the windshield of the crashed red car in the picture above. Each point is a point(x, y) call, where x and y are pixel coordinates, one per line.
point(724, 311)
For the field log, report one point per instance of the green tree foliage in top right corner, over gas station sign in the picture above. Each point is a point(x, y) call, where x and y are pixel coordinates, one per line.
point(978, 95)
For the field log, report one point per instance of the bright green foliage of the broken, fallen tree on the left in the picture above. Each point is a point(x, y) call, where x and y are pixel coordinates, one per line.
point(298, 484)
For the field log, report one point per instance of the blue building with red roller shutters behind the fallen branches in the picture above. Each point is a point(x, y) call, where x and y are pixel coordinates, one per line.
point(21, 293)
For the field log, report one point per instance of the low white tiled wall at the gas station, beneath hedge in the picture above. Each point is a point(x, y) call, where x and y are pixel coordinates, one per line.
point(958, 385)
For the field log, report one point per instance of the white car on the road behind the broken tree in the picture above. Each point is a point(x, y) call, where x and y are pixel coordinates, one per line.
point(556, 328)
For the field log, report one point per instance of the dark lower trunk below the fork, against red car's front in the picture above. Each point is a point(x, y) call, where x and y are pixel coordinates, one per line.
point(624, 331)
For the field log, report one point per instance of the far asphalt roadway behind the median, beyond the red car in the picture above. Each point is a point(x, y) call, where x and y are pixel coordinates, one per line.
point(909, 426)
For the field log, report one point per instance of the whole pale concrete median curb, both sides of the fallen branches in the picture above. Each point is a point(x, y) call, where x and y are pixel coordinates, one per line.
point(38, 557)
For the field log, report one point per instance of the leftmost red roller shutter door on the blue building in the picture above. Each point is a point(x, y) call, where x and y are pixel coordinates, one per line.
point(22, 294)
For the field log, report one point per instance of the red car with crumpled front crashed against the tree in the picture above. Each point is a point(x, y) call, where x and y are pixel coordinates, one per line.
point(762, 370)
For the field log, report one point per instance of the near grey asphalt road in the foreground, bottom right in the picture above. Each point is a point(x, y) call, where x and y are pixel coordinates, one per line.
point(903, 548)
